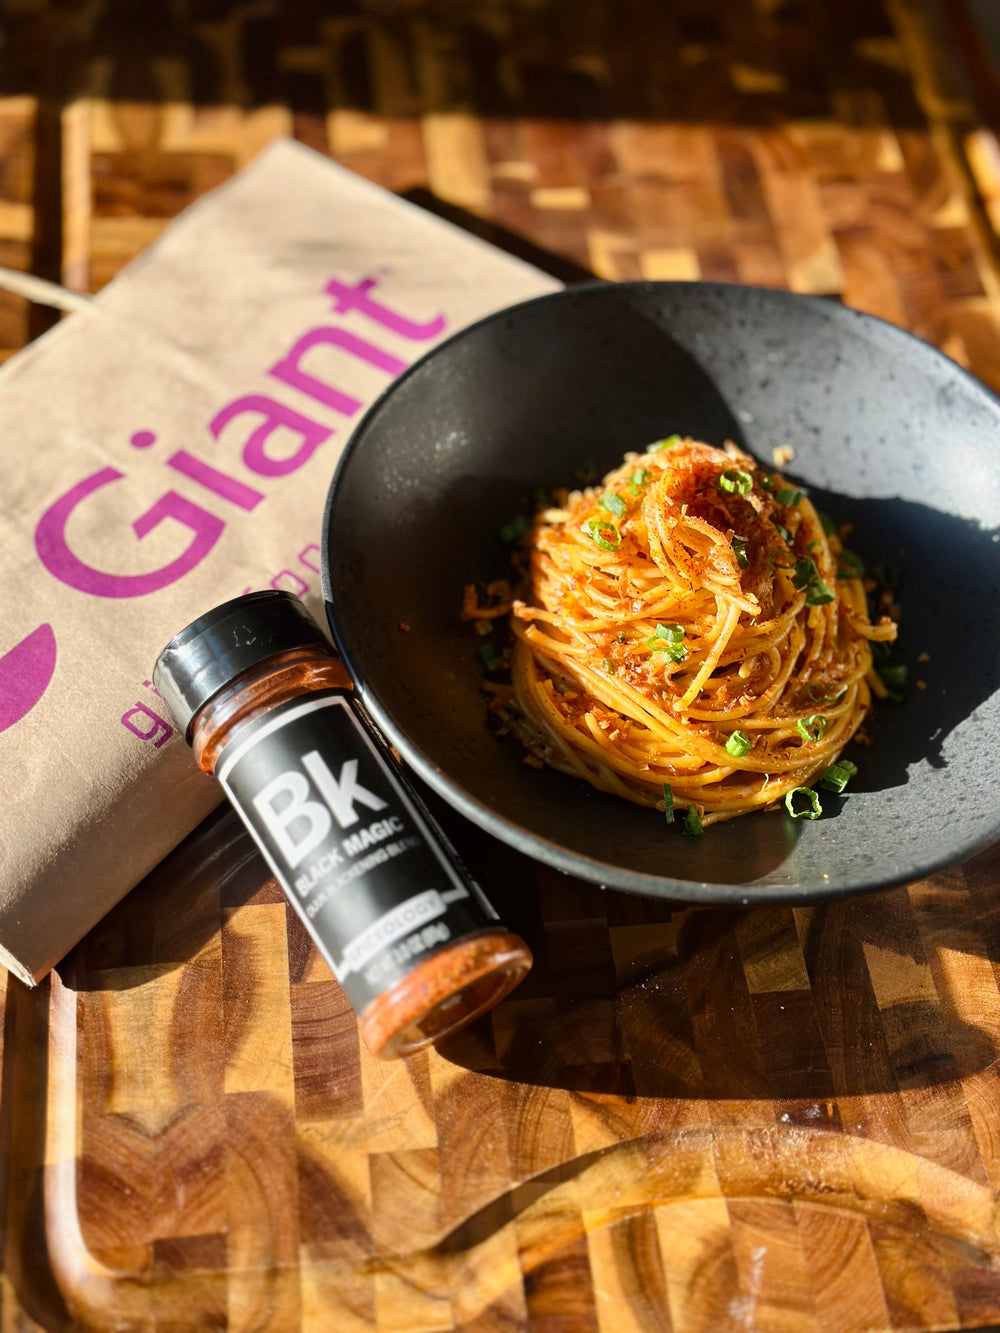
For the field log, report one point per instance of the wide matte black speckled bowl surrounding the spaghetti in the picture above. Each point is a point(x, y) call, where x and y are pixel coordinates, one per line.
point(889, 435)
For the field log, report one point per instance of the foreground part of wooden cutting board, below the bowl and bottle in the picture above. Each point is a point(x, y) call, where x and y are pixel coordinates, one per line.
point(686, 1119)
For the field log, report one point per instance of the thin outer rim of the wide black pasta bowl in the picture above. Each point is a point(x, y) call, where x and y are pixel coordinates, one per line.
point(527, 842)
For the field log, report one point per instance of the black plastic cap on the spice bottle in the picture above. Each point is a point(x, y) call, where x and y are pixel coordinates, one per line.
point(213, 650)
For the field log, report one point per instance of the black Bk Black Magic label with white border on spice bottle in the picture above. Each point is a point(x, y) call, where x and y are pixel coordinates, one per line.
point(351, 850)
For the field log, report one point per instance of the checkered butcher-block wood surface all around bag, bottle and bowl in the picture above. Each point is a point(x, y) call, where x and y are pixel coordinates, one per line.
point(781, 1119)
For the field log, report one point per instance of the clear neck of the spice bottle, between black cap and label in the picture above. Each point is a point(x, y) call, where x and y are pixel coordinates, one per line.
point(298, 671)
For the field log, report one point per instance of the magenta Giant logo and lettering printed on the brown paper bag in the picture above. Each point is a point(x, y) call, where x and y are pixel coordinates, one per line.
point(279, 442)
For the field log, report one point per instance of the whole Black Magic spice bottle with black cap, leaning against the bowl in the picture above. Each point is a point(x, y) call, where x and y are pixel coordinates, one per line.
point(267, 707)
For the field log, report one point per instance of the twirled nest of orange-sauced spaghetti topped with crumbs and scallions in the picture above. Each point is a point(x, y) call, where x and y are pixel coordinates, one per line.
point(690, 635)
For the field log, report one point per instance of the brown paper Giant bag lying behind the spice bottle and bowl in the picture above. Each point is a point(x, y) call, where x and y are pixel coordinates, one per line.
point(165, 451)
